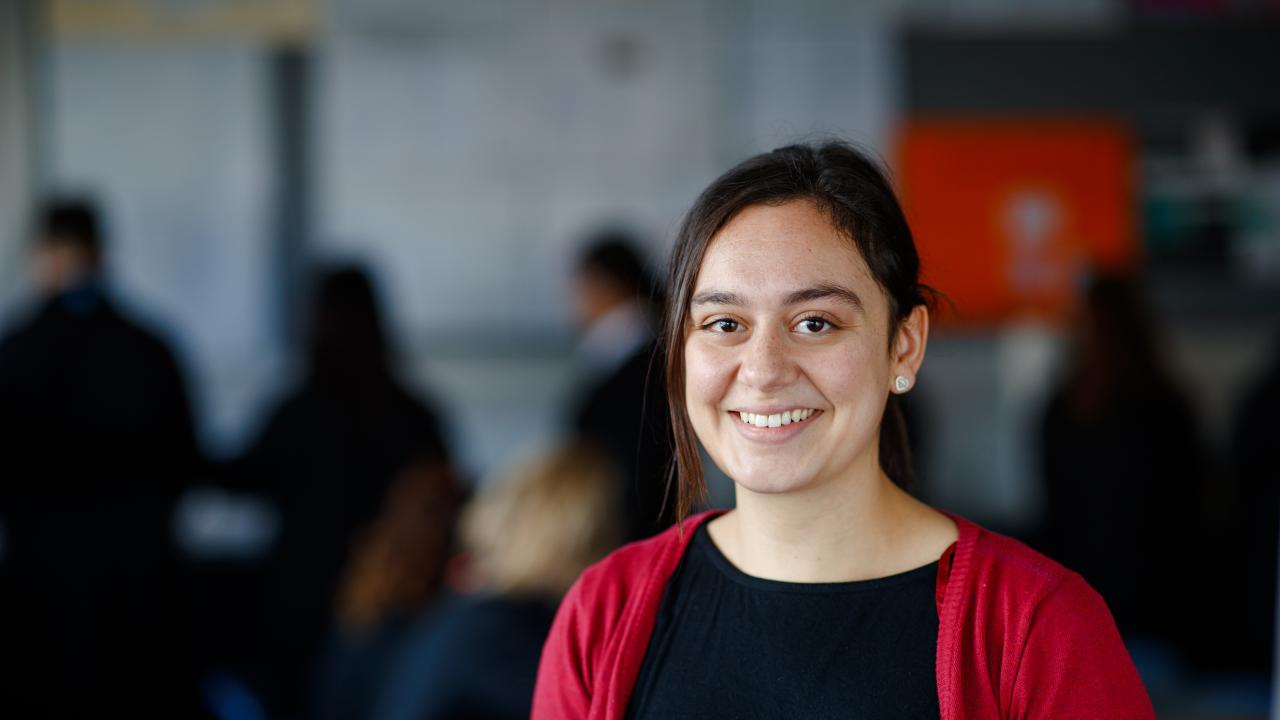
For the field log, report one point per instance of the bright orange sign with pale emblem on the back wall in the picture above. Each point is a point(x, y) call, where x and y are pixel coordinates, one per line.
point(1011, 216)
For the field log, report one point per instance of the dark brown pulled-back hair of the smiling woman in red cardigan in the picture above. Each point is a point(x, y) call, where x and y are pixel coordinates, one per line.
point(857, 195)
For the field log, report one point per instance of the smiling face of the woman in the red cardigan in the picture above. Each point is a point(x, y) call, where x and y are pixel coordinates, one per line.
point(788, 363)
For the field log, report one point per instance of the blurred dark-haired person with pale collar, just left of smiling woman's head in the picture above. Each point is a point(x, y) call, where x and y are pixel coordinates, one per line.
point(623, 399)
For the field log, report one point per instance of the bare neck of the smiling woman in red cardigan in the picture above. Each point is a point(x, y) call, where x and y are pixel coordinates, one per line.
point(853, 530)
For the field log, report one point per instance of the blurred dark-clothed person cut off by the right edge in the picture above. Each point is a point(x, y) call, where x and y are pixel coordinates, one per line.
point(1256, 523)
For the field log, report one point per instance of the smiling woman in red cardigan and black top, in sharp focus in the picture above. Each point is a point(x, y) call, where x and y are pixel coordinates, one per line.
point(797, 315)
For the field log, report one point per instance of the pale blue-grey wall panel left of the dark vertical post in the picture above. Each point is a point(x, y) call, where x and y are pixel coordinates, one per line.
point(172, 142)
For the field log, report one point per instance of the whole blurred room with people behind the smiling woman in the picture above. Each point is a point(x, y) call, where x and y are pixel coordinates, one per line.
point(353, 270)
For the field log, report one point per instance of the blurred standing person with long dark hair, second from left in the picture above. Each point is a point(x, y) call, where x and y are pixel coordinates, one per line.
point(327, 458)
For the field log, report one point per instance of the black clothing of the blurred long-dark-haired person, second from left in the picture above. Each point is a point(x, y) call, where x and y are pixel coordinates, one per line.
point(327, 458)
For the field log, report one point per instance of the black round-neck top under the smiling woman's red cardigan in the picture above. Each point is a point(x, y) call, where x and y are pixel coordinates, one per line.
point(728, 645)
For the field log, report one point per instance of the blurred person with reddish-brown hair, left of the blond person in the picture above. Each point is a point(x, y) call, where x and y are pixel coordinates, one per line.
point(395, 576)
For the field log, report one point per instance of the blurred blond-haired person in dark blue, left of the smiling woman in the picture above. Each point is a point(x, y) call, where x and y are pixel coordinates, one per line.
point(525, 539)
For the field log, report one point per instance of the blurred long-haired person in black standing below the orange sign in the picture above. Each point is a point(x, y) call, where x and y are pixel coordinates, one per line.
point(1123, 467)
